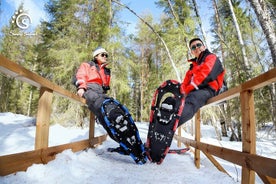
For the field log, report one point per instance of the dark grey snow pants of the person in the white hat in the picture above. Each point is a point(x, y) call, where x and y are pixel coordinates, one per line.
point(95, 96)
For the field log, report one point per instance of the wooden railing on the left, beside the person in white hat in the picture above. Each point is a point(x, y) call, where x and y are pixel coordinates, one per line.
point(42, 153)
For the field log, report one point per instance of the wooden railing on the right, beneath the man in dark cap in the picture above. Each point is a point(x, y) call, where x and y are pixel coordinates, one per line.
point(247, 158)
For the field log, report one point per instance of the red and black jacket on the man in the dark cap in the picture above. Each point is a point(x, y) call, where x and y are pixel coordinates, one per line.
point(206, 71)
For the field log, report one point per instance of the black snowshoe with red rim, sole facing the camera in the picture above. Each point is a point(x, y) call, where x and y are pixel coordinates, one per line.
point(166, 109)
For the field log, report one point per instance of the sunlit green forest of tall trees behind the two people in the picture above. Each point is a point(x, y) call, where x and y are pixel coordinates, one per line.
point(242, 33)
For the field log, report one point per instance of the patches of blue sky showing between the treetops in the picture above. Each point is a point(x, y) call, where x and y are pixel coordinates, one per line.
point(36, 12)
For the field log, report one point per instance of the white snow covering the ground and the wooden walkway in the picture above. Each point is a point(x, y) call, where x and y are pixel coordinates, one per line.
point(96, 165)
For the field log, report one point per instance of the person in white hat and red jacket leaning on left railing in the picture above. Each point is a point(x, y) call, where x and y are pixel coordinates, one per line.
point(93, 80)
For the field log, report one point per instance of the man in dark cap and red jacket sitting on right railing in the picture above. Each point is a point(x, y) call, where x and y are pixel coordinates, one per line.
point(202, 81)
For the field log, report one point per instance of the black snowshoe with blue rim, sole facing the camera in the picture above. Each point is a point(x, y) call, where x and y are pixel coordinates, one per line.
point(123, 128)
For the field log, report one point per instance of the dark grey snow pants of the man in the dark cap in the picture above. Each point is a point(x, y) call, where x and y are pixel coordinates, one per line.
point(193, 101)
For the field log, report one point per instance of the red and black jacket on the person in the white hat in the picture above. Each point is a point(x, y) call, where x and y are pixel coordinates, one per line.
point(92, 73)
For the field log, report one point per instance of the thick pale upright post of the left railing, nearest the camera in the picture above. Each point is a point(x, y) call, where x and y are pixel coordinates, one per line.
point(43, 118)
